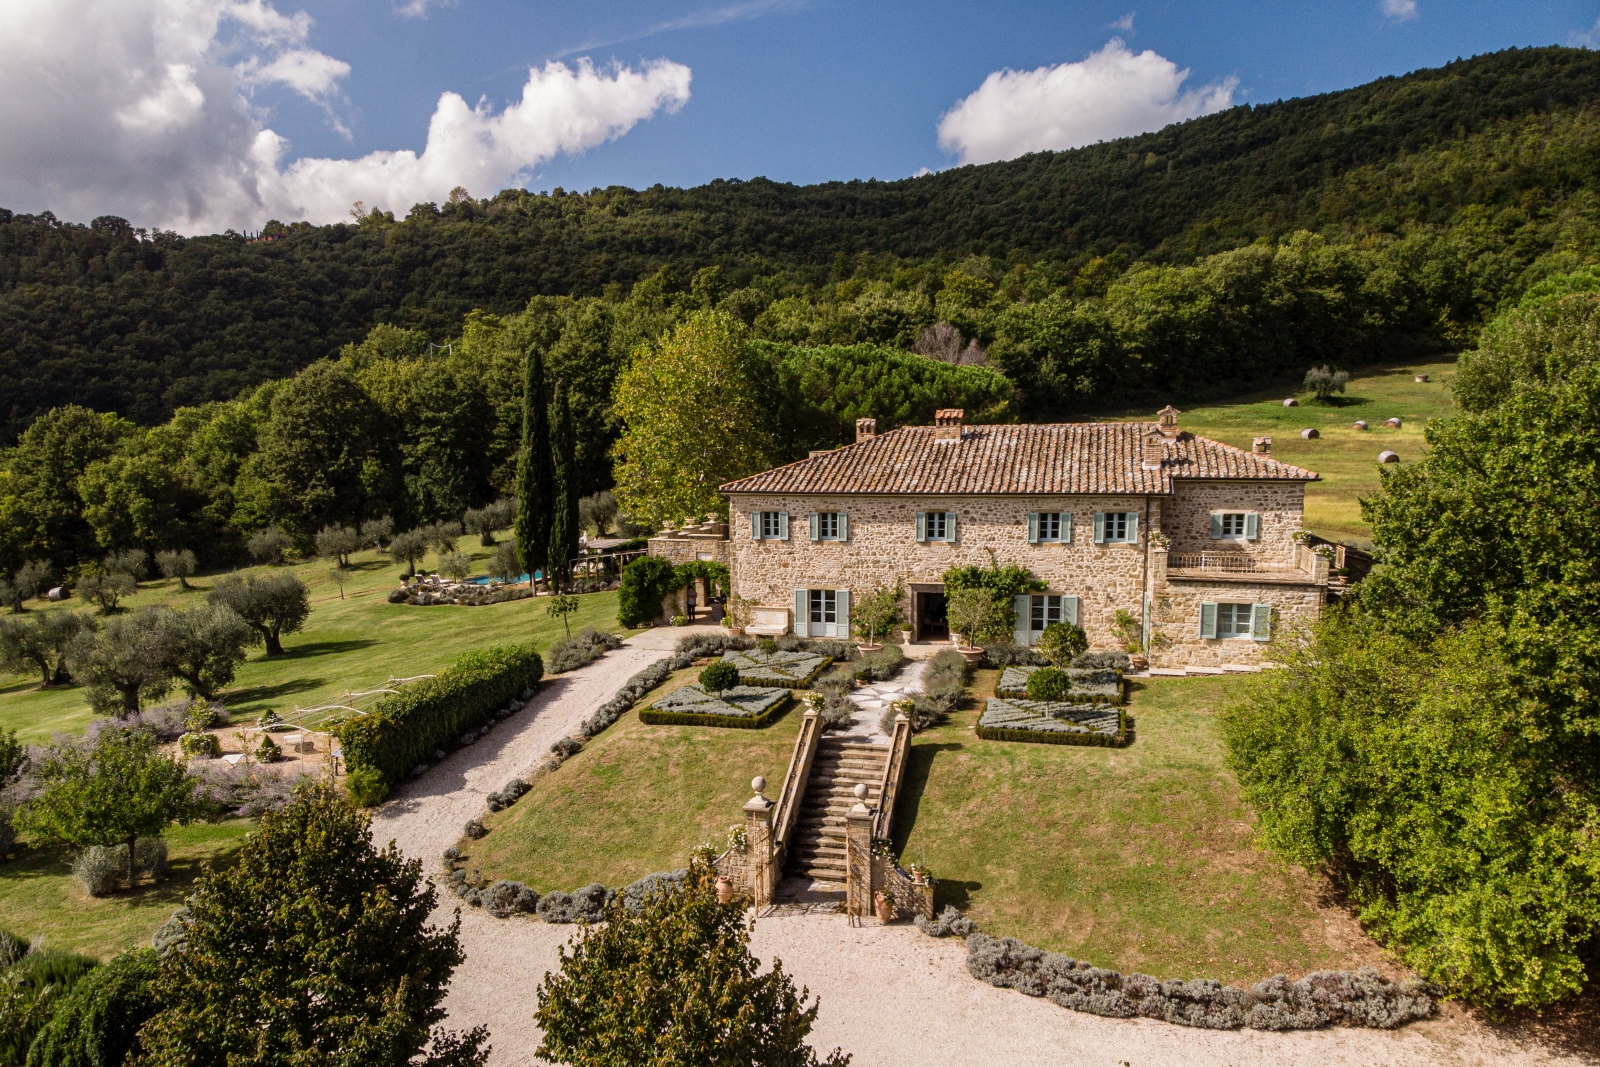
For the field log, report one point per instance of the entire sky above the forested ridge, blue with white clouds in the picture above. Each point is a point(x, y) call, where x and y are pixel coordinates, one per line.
point(209, 114)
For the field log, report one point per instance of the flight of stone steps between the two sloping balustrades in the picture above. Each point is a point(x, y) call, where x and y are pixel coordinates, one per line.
point(817, 847)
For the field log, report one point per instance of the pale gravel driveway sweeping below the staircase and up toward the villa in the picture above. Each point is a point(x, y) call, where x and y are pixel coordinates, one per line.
point(889, 994)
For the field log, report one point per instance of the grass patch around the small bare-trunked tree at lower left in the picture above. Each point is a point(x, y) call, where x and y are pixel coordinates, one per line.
point(39, 897)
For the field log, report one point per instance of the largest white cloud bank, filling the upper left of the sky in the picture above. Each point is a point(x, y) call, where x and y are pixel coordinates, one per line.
point(142, 108)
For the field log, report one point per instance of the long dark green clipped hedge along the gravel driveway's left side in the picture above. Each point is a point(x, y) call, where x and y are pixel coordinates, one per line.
point(406, 730)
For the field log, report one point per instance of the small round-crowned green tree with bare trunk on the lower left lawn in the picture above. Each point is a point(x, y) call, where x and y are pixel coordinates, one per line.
point(121, 789)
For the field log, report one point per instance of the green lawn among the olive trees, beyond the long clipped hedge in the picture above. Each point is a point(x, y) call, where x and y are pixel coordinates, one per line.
point(348, 645)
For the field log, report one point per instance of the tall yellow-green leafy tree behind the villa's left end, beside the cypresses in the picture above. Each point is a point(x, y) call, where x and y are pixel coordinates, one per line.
point(697, 414)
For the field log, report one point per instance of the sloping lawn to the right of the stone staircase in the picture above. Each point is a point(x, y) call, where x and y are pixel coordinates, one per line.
point(1137, 860)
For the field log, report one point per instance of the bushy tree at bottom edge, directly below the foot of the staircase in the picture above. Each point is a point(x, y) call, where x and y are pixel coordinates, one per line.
point(674, 983)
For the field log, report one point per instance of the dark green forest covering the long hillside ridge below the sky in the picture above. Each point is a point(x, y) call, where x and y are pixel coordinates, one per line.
point(1438, 198)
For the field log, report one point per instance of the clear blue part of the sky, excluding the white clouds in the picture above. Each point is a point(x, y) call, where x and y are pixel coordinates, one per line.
point(834, 90)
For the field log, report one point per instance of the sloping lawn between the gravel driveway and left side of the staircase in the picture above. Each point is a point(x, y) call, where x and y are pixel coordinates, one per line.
point(636, 801)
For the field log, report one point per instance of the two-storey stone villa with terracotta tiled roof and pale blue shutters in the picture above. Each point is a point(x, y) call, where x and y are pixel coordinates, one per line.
point(1193, 538)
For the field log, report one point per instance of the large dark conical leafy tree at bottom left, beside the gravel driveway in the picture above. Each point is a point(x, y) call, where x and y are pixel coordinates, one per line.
point(314, 948)
